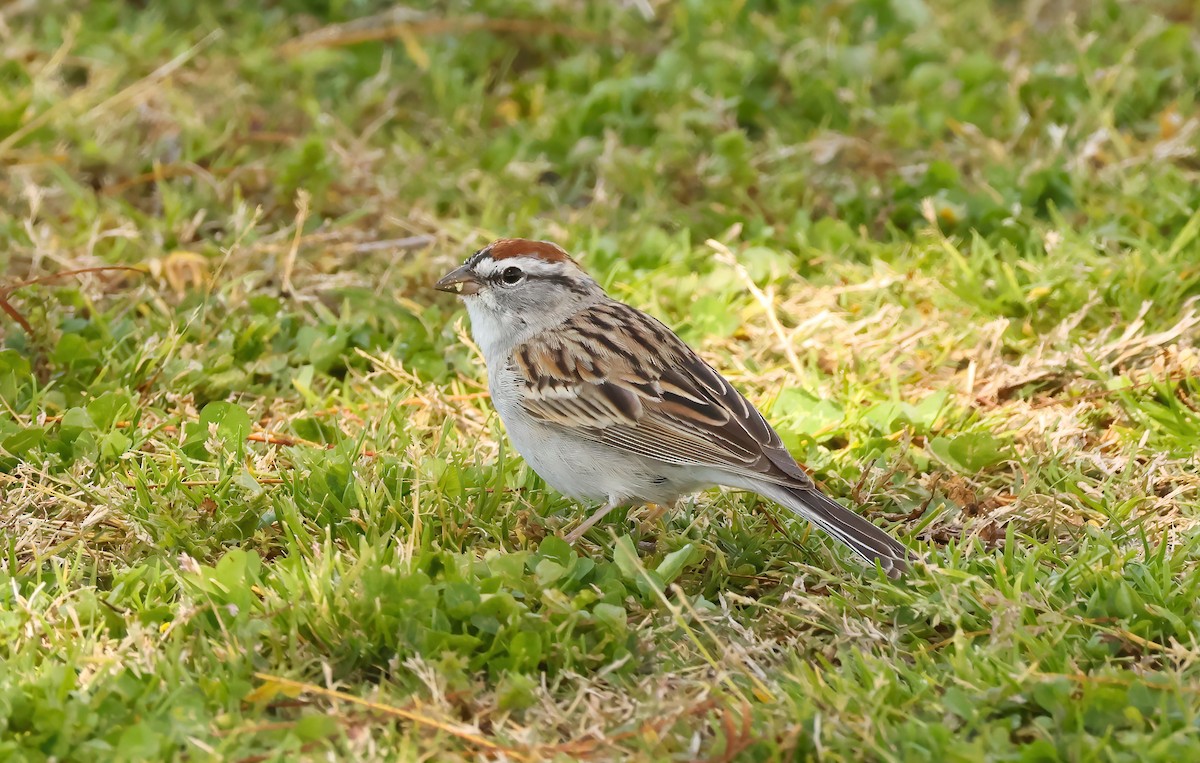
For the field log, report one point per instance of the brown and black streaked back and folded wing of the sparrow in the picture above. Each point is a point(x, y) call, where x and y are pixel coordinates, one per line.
point(671, 406)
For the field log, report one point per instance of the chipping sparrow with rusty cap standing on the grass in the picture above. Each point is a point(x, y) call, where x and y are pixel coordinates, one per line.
point(609, 405)
